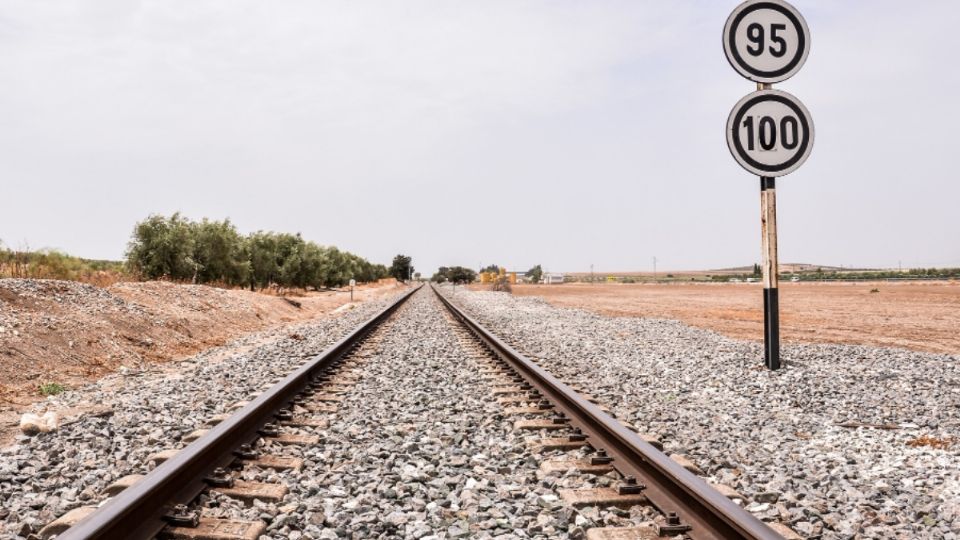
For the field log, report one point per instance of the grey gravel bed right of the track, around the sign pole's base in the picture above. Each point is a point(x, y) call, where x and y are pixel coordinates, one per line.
point(774, 436)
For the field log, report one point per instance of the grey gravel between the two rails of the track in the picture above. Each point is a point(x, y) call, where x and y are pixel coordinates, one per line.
point(420, 449)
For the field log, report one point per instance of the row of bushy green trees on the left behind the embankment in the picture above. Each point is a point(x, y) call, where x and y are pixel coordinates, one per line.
point(210, 251)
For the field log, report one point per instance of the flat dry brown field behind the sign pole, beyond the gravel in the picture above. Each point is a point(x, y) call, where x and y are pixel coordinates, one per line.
point(923, 316)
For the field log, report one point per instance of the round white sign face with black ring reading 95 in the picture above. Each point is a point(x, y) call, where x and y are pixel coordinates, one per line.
point(766, 41)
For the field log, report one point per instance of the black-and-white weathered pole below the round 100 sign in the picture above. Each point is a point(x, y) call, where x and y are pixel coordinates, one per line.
point(771, 301)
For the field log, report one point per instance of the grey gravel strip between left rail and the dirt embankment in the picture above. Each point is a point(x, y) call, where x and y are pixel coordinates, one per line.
point(126, 417)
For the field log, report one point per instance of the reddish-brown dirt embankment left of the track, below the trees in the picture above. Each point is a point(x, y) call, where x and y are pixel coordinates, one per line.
point(69, 333)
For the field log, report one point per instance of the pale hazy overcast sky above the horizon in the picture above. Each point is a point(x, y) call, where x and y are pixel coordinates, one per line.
point(559, 133)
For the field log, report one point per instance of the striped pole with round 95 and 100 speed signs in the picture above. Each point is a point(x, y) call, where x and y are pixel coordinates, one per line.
point(769, 132)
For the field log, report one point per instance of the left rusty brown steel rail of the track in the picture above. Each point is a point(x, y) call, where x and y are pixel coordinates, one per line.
point(138, 511)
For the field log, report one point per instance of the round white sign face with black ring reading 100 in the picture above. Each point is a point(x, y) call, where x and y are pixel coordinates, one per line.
point(770, 133)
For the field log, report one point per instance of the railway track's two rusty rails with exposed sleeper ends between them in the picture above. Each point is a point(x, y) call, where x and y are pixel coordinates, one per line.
point(163, 503)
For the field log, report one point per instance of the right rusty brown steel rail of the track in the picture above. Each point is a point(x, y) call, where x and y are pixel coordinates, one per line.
point(669, 487)
